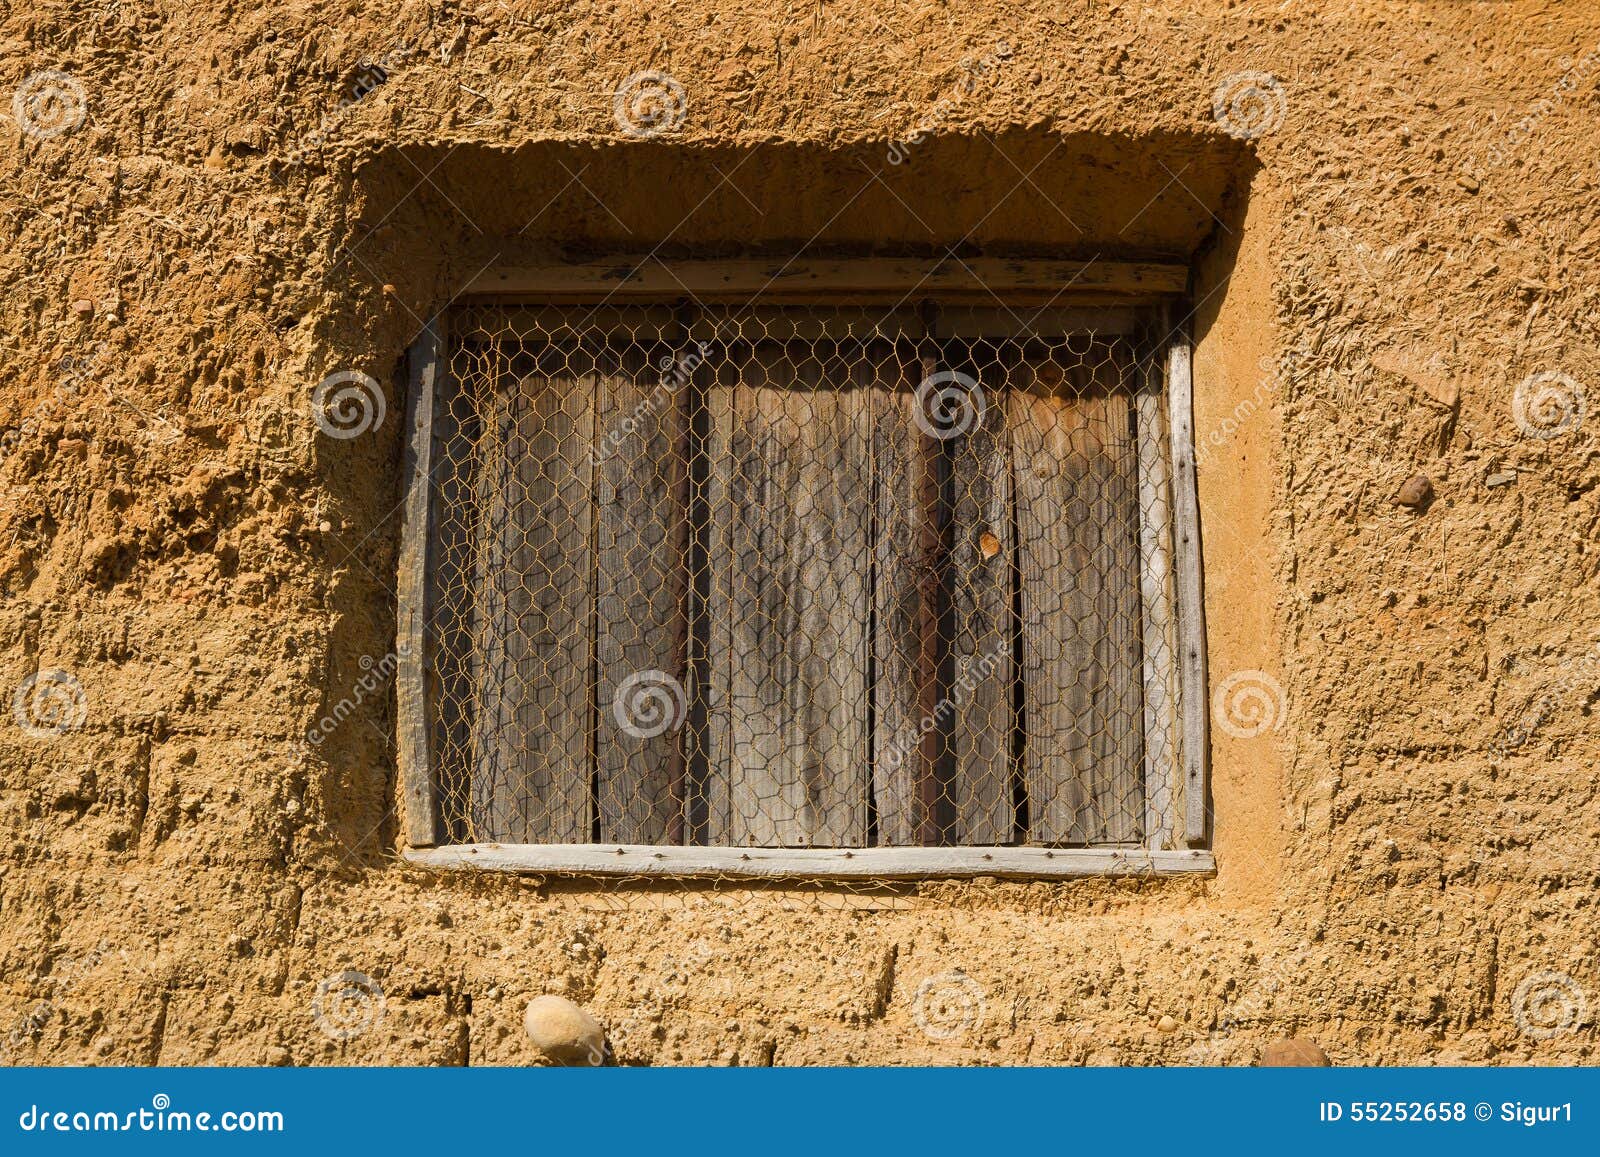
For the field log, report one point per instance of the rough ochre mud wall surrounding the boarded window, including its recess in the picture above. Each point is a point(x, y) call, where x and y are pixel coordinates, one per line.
point(1394, 236)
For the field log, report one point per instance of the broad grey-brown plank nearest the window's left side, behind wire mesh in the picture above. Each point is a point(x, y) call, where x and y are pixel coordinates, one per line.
point(535, 582)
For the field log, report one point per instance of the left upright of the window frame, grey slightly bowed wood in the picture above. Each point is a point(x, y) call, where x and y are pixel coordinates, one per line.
point(412, 606)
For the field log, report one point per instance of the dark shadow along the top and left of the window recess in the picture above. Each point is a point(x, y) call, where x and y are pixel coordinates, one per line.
point(431, 218)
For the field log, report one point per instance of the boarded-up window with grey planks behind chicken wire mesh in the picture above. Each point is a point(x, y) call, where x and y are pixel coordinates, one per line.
point(810, 582)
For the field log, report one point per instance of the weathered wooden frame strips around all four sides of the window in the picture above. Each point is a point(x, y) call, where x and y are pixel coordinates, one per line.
point(1103, 284)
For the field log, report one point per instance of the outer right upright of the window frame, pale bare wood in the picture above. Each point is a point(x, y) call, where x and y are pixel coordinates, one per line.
point(1191, 593)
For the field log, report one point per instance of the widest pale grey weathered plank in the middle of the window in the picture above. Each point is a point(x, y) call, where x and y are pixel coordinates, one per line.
point(793, 508)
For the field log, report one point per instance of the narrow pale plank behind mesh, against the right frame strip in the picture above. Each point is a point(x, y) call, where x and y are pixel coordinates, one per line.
point(1156, 588)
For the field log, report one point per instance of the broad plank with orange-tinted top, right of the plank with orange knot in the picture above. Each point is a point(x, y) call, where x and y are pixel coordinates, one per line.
point(1078, 558)
